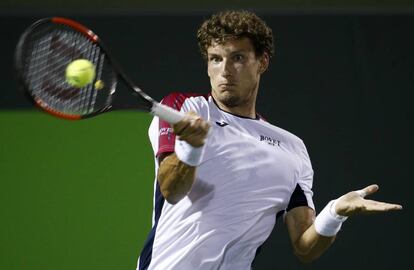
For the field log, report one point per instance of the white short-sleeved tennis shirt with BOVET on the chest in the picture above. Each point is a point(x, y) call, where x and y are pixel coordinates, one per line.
point(250, 172)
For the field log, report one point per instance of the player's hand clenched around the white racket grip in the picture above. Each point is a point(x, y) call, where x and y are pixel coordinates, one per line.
point(193, 129)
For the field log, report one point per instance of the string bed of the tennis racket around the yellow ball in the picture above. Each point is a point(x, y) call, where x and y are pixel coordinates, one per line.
point(49, 50)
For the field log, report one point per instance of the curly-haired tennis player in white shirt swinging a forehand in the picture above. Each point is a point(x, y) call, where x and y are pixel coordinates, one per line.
point(223, 174)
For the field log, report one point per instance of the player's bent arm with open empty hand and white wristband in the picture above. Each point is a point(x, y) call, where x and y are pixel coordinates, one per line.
point(310, 237)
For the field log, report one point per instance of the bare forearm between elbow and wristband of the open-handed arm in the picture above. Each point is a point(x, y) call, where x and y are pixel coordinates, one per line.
point(311, 245)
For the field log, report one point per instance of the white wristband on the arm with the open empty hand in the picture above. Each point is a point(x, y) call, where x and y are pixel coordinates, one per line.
point(328, 222)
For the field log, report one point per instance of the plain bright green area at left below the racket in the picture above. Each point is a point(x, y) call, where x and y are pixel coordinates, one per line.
point(74, 194)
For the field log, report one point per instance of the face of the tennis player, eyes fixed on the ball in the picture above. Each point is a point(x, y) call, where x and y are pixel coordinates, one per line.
point(234, 72)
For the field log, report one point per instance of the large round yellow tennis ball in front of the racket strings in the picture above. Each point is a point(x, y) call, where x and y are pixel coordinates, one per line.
point(80, 73)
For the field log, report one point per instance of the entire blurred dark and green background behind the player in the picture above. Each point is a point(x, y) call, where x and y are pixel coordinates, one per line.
point(78, 195)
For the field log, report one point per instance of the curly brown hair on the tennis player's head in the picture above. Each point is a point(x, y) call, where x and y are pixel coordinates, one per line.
point(232, 24)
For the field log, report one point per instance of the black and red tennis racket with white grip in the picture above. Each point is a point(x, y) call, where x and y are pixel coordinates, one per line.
point(44, 51)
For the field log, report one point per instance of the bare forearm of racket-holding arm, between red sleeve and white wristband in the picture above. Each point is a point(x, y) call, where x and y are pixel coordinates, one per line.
point(175, 178)
